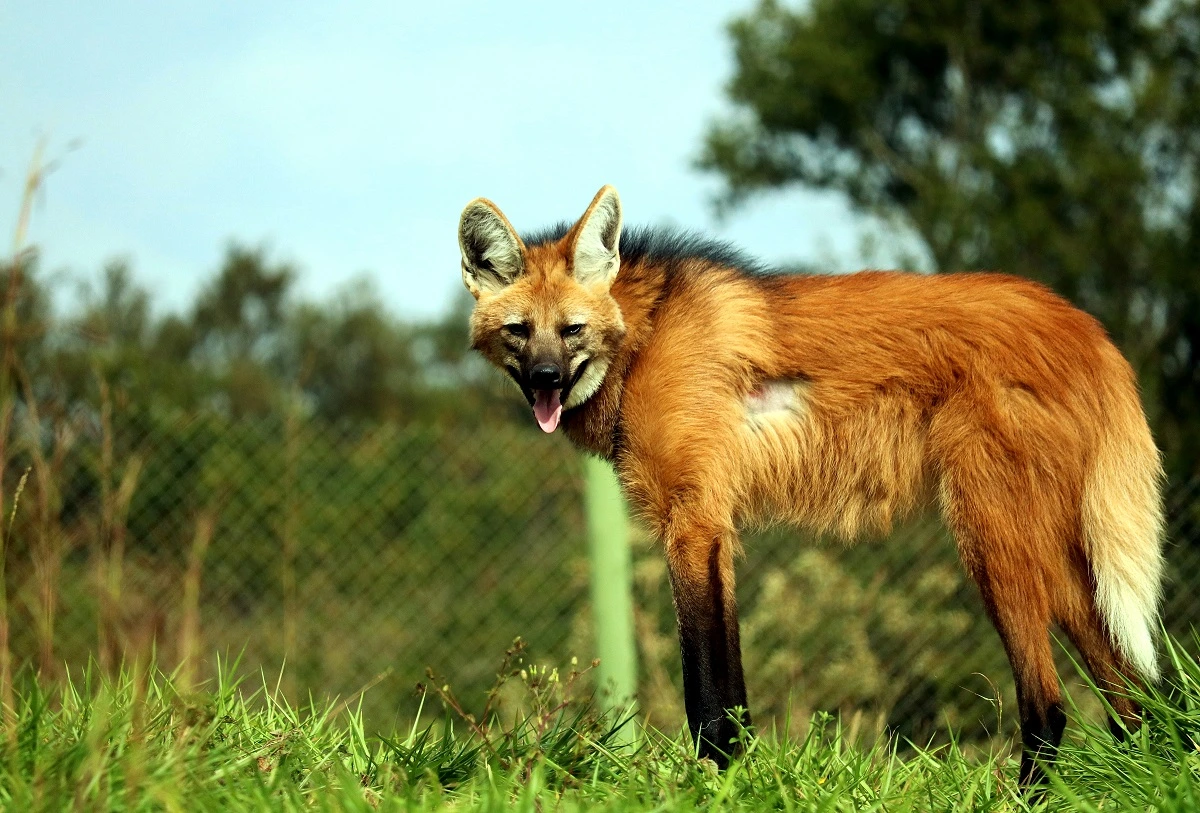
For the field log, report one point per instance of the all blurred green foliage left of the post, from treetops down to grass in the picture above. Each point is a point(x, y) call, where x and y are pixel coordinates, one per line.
point(370, 491)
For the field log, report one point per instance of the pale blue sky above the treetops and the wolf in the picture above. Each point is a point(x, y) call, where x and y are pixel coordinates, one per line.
point(347, 137)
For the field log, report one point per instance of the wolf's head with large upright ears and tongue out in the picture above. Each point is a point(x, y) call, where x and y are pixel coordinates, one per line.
point(544, 314)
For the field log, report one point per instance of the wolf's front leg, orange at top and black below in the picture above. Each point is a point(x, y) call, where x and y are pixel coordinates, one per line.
point(701, 565)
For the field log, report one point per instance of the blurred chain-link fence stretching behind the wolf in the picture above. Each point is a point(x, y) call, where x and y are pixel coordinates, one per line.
point(363, 555)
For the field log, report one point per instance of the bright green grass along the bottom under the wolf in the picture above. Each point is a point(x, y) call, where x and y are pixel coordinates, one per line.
point(139, 743)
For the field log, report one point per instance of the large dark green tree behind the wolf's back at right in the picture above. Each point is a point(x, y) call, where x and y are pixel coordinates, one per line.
point(1059, 141)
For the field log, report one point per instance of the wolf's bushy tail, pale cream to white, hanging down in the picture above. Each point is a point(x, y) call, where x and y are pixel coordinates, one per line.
point(1124, 528)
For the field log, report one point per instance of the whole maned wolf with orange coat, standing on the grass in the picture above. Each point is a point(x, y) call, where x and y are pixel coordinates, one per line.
point(725, 394)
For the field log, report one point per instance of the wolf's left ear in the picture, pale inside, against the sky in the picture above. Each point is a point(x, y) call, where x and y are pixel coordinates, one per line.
point(493, 254)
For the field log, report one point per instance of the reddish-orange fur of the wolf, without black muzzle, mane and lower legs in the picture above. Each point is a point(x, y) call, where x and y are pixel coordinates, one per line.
point(985, 396)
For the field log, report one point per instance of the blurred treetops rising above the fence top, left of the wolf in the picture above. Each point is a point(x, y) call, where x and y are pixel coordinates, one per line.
point(249, 346)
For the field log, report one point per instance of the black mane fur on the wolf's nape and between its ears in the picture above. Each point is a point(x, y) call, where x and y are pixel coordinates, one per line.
point(665, 245)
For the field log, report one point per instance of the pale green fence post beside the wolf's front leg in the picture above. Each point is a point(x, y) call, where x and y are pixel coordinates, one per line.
point(613, 597)
